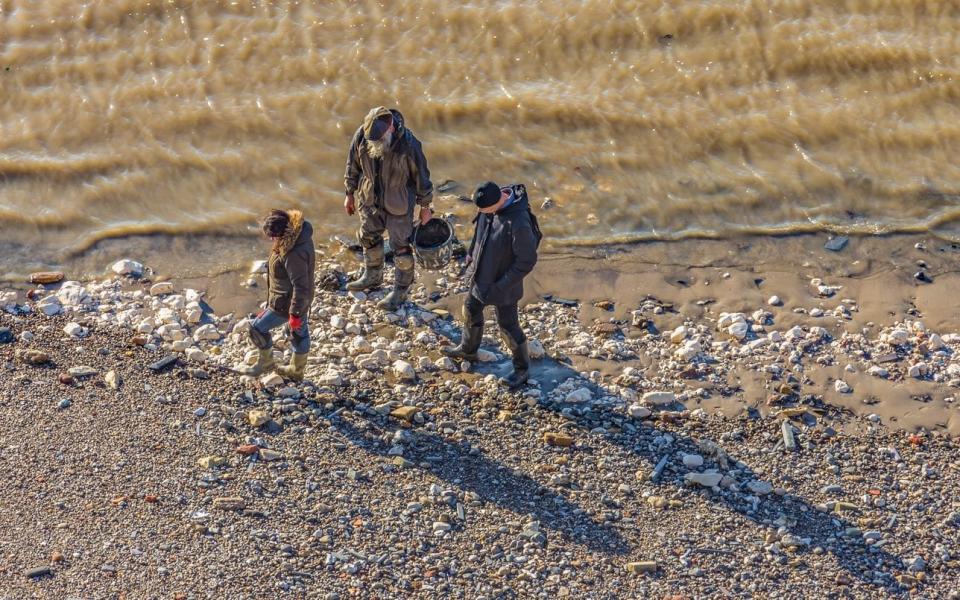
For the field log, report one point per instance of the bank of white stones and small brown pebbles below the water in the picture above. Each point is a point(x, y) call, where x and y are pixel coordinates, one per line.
point(137, 463)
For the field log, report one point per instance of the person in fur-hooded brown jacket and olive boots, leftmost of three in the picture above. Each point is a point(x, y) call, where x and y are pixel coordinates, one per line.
point(290, 285)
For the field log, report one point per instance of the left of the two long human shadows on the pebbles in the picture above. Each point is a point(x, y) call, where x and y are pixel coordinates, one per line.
point(472, 471)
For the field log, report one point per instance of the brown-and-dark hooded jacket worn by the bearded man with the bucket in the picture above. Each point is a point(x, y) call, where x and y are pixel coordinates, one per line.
point(394, 182)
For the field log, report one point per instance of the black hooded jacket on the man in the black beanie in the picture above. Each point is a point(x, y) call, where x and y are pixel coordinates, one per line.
point(503, 251)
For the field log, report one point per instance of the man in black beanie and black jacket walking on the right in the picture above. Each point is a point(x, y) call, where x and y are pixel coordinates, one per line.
point(502, 253)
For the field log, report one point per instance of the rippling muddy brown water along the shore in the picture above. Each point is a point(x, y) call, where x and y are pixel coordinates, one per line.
point(640, 120)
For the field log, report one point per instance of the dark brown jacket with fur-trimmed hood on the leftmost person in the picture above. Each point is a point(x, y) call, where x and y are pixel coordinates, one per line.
point(290, 273)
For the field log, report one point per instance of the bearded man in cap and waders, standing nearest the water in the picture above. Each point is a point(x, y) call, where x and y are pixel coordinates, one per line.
point(386, 177)
